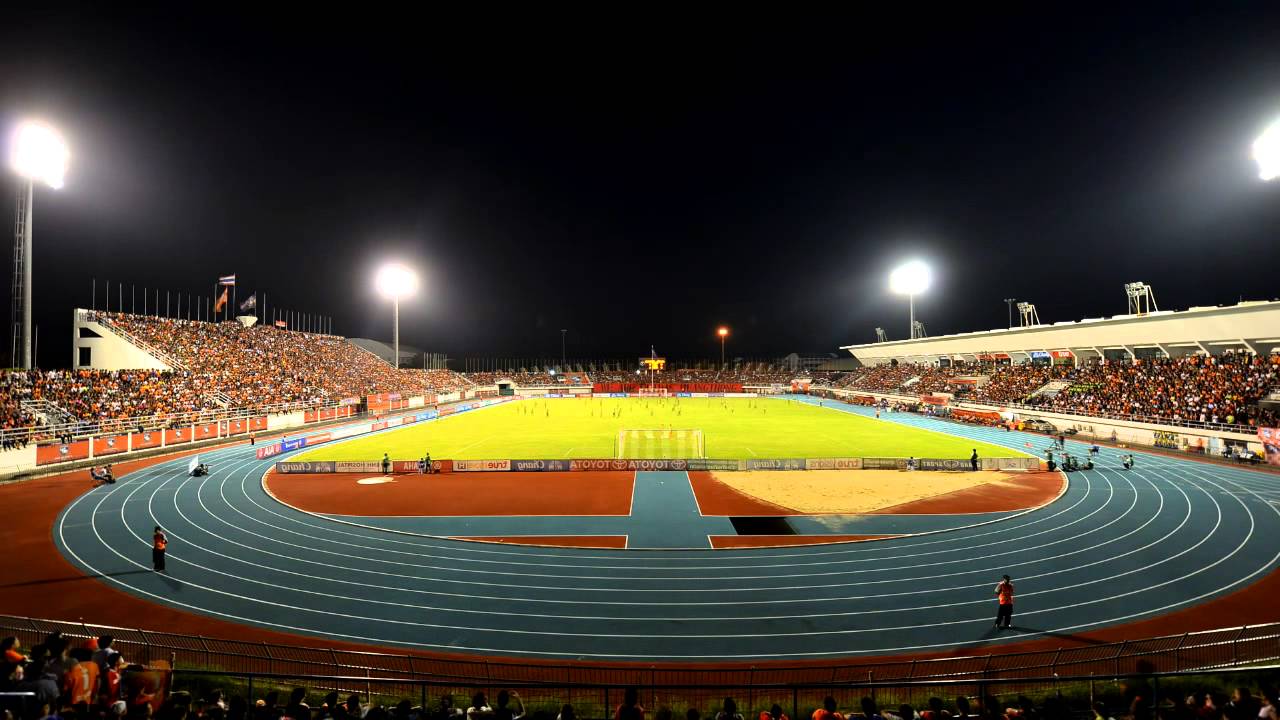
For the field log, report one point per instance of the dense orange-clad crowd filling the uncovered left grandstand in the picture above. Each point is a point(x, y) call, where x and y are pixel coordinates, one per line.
point(220, 366)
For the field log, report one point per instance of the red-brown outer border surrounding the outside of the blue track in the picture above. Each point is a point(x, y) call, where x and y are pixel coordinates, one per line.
point(39, 584)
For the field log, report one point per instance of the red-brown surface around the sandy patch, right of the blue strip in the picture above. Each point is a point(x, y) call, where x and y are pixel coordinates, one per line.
point(1020, 493)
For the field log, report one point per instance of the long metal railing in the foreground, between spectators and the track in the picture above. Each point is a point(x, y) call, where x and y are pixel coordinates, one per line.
point(1231, 648)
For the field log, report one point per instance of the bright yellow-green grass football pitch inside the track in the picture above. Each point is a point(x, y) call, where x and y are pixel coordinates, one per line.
point(733, 429)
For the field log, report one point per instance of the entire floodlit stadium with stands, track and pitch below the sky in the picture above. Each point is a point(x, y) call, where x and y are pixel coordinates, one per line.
point(221, 504)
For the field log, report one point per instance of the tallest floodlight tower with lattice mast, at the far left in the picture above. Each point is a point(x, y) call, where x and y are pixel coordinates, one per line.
point(38, 154)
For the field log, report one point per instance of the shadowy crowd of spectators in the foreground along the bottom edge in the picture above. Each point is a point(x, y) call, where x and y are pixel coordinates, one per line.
point(85, 683)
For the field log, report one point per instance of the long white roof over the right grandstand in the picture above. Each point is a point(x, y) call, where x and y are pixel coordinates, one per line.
point(1247, 326)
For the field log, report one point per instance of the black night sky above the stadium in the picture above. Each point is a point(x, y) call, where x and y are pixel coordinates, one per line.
point(641, 179)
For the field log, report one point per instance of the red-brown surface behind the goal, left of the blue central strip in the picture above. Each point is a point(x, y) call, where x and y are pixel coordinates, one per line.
point(458, 494)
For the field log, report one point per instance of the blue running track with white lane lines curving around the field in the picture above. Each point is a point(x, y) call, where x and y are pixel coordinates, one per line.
point(1114, 549)
